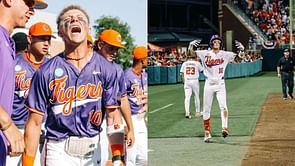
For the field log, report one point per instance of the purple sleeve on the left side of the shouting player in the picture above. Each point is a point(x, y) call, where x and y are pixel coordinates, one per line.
point(37, 99)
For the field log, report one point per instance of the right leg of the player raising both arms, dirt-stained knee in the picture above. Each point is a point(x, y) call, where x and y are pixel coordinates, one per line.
point(221, 98)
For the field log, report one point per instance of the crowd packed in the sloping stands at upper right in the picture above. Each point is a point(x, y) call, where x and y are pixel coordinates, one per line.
point(271, 16)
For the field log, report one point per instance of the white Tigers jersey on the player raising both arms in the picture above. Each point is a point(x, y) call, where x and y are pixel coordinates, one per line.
point(215, 64)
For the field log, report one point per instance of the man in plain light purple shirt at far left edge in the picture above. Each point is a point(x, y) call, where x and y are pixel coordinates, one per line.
point(13, 14)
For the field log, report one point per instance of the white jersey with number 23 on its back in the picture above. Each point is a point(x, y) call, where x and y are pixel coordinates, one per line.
point(190, 70)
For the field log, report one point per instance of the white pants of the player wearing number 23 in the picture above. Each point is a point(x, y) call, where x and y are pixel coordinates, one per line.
point(189, 87)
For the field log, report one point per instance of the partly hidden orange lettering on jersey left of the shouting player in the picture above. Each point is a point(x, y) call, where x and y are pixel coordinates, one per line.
point(21, 82)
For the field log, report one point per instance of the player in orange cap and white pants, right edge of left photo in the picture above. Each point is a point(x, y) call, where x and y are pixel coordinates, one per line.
point(136, 81)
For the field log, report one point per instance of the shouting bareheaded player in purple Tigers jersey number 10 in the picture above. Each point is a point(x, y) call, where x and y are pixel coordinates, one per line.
point(75, 89)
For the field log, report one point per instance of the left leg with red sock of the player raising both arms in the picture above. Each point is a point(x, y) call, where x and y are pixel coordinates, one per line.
point(207, 104)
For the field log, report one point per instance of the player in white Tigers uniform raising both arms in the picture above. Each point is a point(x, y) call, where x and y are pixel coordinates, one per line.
point(214, 62)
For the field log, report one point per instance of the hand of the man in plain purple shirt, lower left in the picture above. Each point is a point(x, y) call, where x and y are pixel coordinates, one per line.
point(15, 139)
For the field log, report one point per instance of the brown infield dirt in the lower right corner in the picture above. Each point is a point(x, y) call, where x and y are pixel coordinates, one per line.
point(273, 142)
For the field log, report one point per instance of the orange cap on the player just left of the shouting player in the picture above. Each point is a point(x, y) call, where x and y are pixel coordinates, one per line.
point(40, 29)
